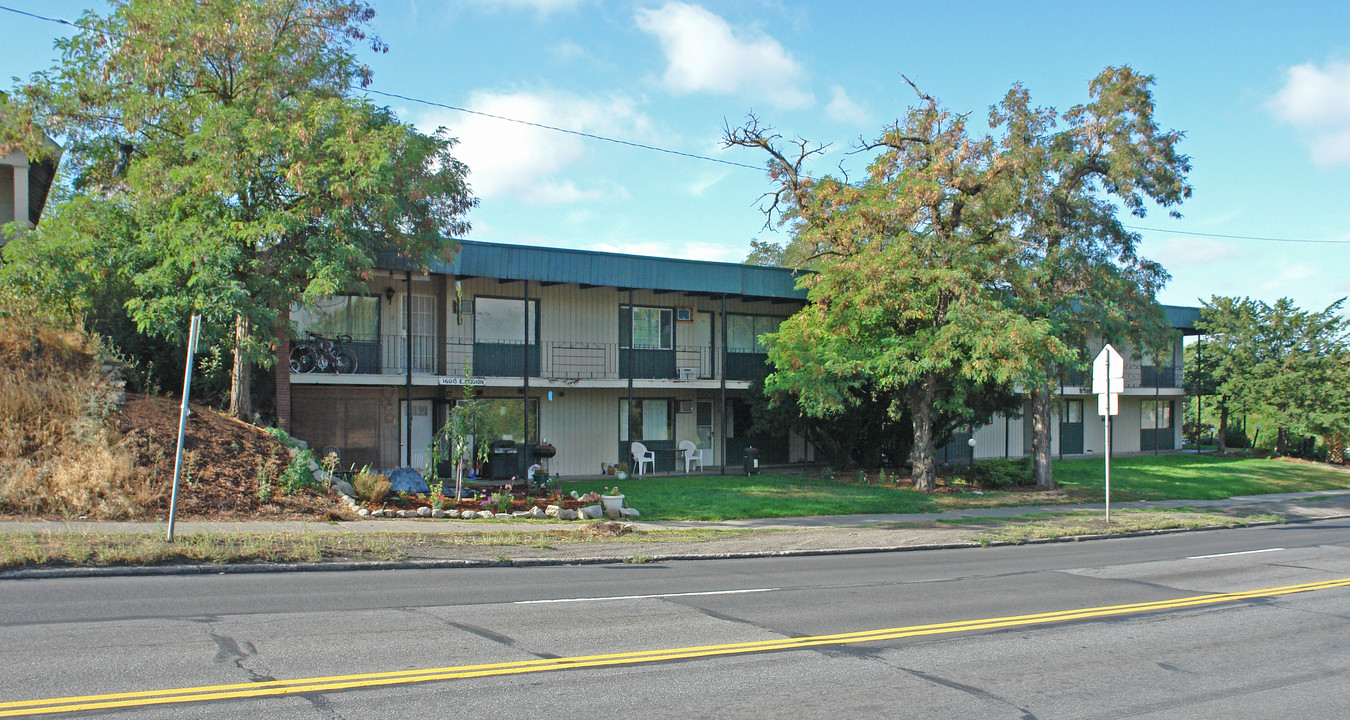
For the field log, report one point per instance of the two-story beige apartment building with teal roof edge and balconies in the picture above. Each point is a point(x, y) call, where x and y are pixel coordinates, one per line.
point(591, 352)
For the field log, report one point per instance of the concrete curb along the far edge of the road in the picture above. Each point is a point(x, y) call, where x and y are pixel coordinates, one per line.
point(346, 567)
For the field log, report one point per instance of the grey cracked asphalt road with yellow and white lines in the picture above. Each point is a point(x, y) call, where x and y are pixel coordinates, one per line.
point(942, 634)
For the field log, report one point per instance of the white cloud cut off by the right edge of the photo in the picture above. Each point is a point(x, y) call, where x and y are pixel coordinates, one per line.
point(1318, 101)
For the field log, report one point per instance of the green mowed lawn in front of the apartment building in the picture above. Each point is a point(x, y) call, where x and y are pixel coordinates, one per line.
point(1163, 478)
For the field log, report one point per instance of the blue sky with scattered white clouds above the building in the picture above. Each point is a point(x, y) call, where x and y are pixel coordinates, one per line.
point(1262, 91)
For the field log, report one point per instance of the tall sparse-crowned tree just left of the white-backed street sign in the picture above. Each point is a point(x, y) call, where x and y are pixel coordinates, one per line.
point(1085, 275)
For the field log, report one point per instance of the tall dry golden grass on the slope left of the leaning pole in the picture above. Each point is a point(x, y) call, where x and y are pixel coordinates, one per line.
point(59, 452)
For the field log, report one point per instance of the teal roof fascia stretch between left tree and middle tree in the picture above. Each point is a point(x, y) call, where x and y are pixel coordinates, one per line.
point(610, 269)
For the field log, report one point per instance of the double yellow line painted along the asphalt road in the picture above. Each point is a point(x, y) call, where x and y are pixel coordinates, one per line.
point(376, 680)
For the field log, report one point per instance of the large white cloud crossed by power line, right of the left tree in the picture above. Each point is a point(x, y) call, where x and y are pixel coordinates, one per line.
point(514, 160)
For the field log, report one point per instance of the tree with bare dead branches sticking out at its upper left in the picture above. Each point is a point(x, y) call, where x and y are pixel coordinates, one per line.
point(909, 301)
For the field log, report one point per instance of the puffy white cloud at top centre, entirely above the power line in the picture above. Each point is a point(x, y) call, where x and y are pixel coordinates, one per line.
point(704, 55)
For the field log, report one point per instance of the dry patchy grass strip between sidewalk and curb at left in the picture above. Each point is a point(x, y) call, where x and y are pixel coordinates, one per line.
point(21, 550)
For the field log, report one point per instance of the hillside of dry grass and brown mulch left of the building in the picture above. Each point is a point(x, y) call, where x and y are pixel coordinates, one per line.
point(74, 446)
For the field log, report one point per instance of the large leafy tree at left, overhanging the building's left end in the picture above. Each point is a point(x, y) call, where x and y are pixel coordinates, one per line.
point(245, 174)
